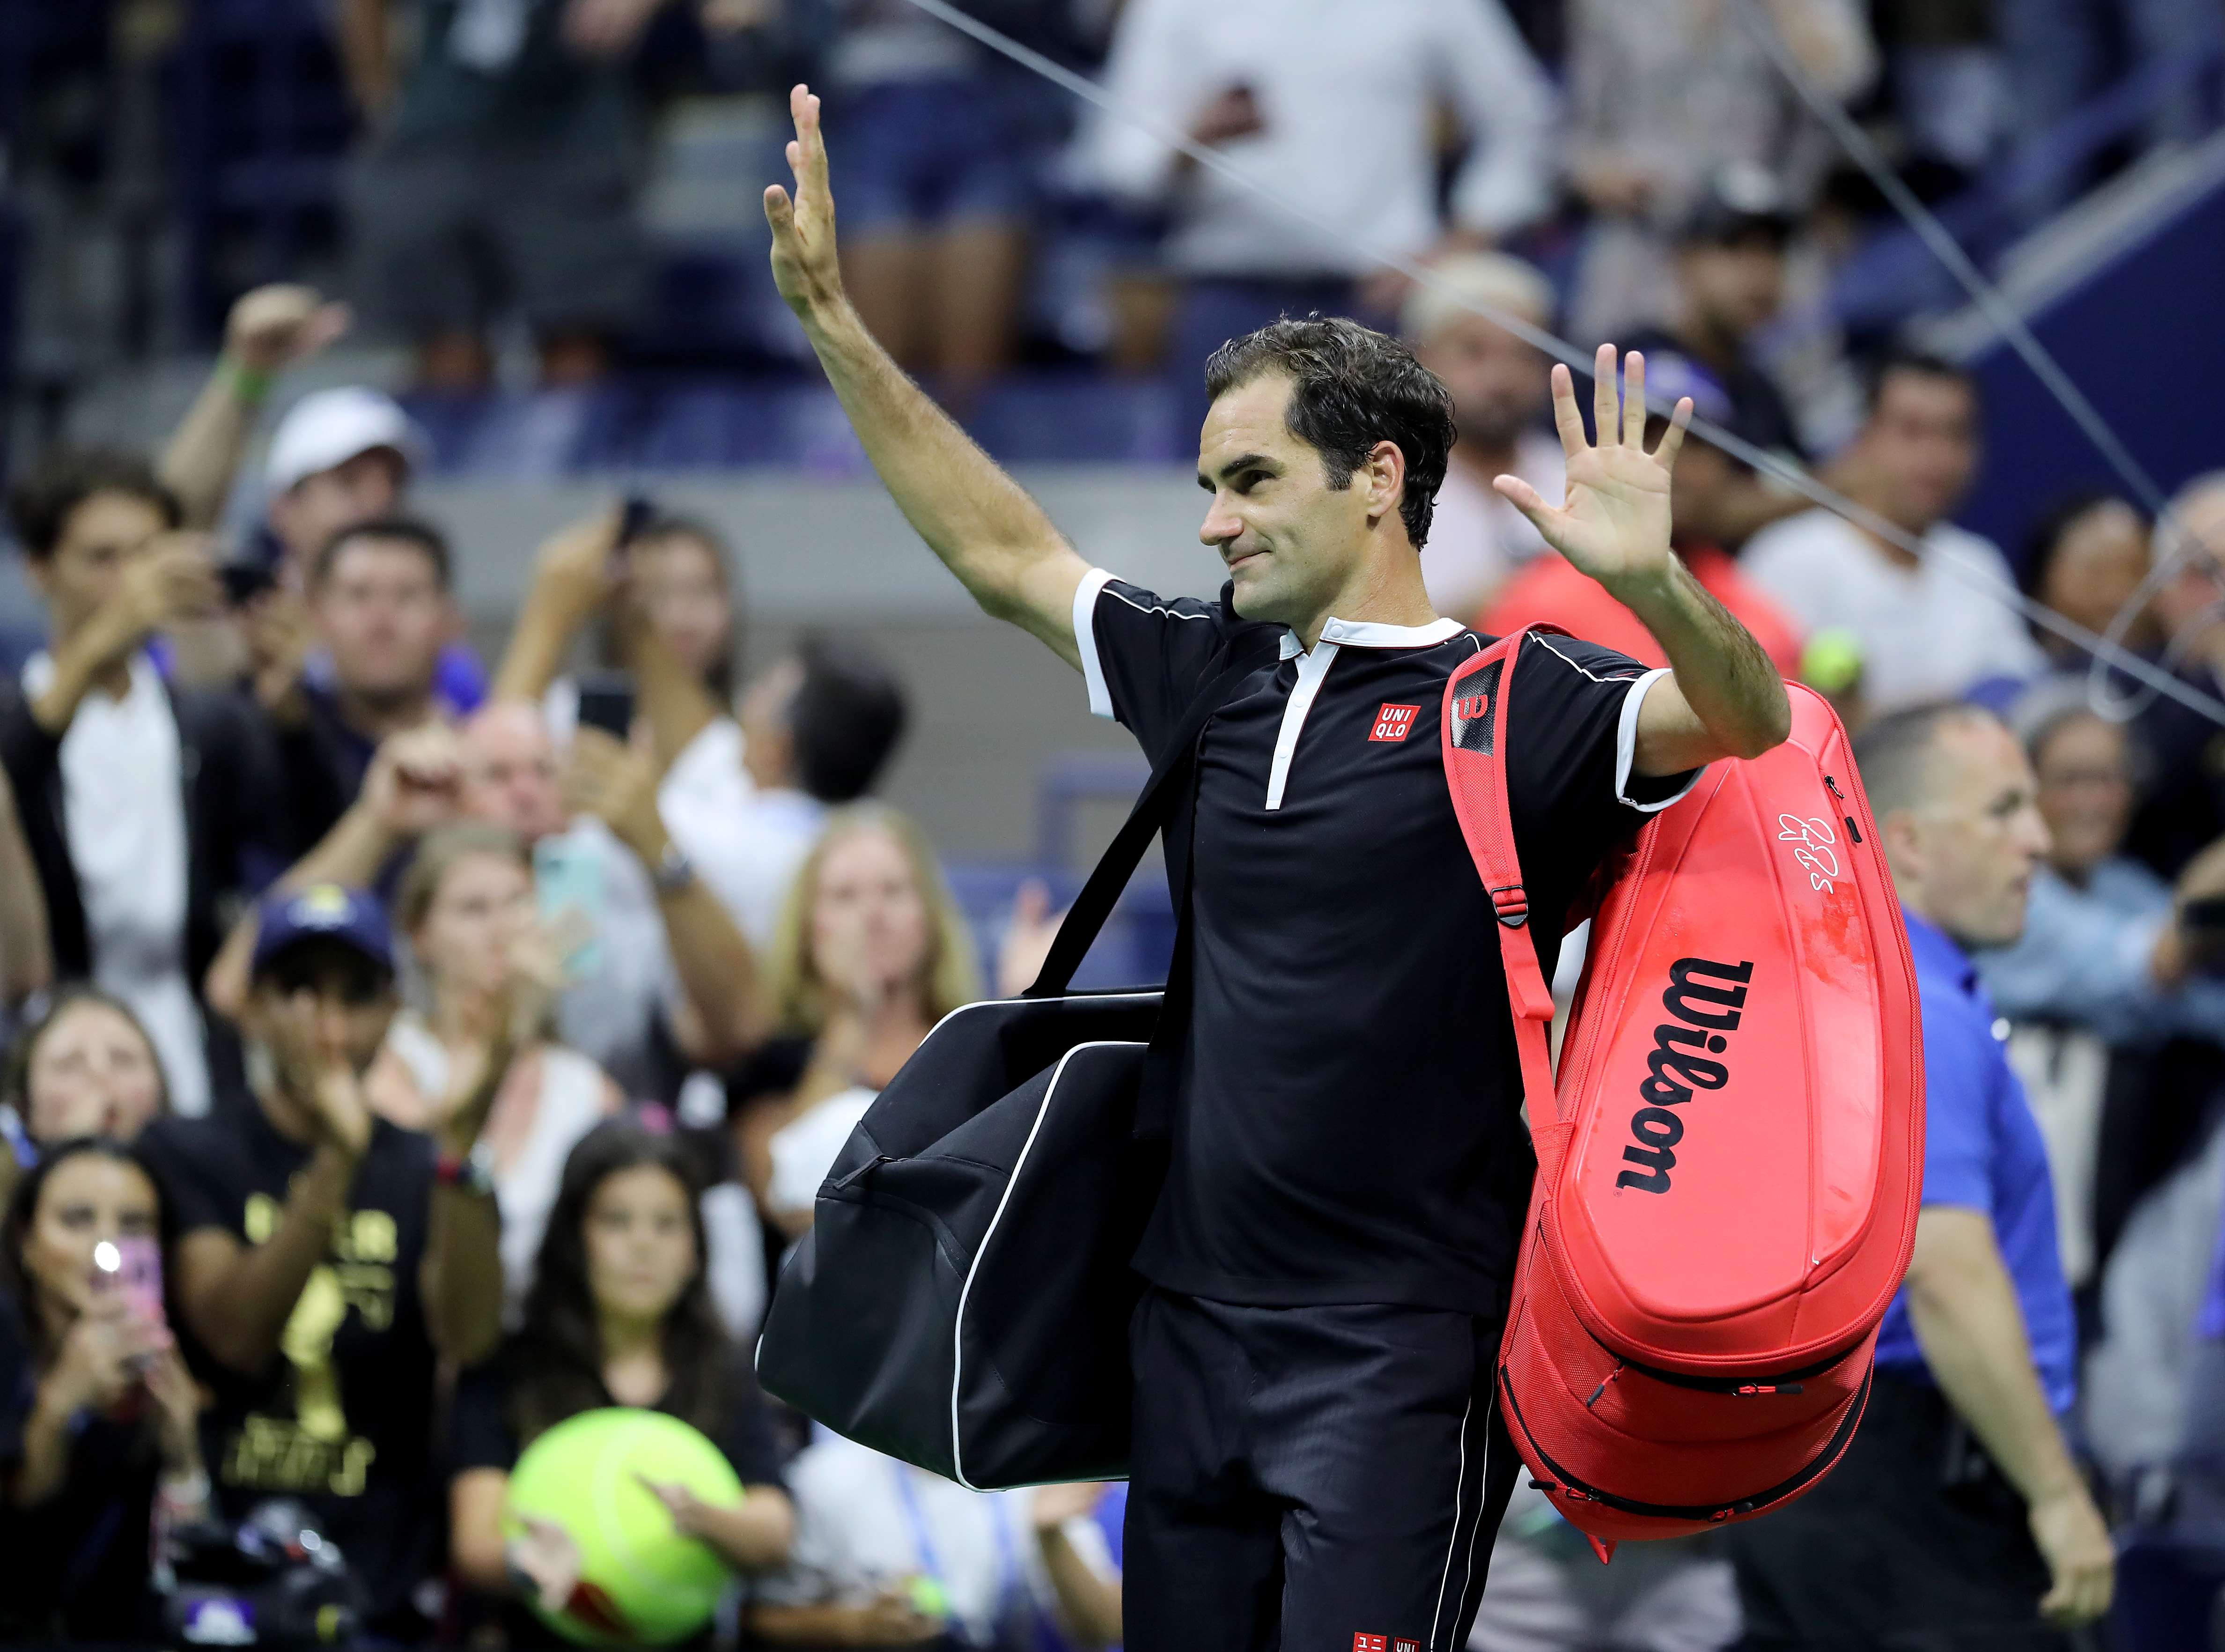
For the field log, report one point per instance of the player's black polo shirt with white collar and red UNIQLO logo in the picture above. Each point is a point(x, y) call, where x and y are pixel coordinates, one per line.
point(1347, 1114)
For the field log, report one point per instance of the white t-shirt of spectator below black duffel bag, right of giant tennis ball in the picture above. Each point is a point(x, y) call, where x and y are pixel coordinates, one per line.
point(869, 1524)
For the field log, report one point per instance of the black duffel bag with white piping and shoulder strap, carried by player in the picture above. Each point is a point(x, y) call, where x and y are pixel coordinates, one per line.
point(965, 1295)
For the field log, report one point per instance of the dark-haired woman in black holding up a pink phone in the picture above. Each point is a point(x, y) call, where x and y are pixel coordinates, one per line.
point(97, 1408)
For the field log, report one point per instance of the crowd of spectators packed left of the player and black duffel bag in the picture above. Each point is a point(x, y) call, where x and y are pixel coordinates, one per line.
point(466, 1045)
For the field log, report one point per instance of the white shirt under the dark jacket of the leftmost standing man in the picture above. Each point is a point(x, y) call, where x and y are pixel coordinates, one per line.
point(123, 816)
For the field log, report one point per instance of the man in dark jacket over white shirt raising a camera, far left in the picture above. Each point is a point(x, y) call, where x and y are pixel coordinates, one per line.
point(146, 807)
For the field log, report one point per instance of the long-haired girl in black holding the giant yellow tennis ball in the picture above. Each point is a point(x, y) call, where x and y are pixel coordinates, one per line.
point(620, 1315)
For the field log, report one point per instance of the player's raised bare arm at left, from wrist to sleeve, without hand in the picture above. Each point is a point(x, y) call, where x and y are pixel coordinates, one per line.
point(971, 513)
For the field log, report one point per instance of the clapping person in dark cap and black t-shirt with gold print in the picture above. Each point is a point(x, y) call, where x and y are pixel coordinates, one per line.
point(326, 1259)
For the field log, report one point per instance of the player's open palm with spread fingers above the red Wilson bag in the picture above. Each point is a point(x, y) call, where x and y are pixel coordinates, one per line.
point(1614, 522)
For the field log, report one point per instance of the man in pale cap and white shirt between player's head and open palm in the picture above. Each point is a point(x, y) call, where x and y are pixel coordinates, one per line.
point(1501, 400)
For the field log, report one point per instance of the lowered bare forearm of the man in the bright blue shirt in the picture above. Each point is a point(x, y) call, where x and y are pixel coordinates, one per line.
point(1975, 1341)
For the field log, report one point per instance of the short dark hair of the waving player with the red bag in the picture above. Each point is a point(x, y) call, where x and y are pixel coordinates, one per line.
point(1349, 391)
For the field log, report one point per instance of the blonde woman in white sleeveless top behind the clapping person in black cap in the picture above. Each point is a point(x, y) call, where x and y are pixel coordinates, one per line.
point(486, 979)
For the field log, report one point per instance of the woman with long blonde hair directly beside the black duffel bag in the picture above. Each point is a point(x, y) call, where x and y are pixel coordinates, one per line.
point(869, 954)
